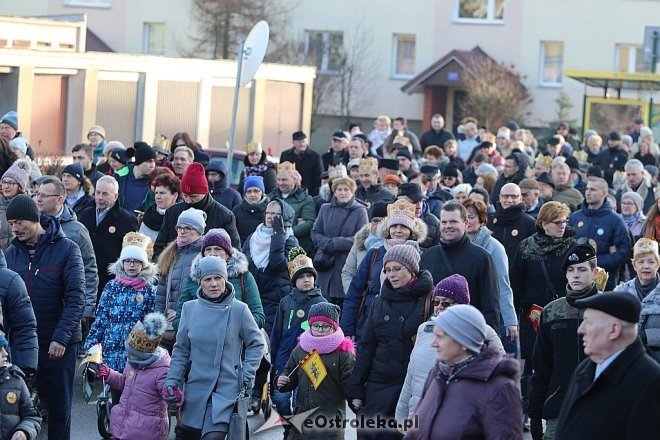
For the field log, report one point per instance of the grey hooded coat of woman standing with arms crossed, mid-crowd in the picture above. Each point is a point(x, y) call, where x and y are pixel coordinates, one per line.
point(350, 217)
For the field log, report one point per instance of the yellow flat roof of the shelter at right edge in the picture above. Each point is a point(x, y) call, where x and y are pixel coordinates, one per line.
point(616, 80)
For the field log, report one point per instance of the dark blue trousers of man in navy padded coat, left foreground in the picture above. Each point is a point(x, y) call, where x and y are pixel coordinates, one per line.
point(55, 388)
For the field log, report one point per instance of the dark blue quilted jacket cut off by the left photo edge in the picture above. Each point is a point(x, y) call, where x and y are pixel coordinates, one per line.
point(18, 318)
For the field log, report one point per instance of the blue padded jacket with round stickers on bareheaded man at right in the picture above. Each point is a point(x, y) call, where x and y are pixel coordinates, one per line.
point(607, 228)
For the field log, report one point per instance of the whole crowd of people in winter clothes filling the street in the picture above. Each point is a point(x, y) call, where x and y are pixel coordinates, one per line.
point(471, 284)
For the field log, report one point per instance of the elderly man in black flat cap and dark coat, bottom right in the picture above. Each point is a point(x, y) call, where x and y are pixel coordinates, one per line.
point(615, 394)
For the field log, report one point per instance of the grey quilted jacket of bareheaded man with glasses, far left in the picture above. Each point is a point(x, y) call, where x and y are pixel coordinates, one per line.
point(77, 232)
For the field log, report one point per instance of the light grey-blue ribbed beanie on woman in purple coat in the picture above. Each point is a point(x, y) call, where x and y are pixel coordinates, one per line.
point(465, 325)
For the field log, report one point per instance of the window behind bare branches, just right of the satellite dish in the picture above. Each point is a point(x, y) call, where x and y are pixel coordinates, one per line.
point(325, 50)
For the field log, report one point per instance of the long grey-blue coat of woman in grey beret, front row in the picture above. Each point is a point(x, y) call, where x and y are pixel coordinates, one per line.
point(214, 357)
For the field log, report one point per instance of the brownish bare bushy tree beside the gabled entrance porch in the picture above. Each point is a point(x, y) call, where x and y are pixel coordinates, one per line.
point(495, 93)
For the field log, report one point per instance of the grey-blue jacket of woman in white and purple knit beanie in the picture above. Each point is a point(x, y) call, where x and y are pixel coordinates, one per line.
point(171, 285)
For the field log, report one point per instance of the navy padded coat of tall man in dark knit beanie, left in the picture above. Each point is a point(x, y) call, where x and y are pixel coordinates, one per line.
point(55, 279)
